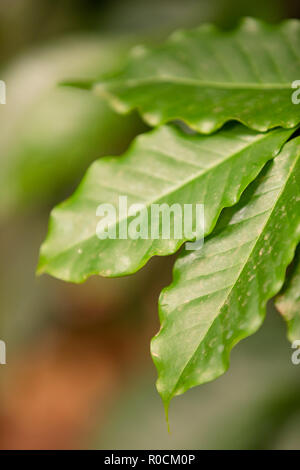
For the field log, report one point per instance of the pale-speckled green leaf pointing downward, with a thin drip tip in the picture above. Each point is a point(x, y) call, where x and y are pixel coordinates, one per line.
point(218, 295)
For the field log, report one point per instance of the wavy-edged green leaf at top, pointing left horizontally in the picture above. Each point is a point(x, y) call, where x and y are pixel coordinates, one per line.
point(207, 77)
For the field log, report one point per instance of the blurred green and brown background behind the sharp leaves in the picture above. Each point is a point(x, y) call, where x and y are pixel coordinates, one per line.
point(79, 373)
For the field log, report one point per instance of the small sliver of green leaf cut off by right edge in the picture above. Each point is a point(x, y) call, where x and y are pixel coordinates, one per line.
point(288, 302)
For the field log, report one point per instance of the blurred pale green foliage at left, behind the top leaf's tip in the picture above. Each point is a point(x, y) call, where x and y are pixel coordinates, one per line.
point(49, 134)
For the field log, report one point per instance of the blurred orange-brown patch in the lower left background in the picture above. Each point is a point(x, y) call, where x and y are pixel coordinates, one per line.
point(54, 387)
